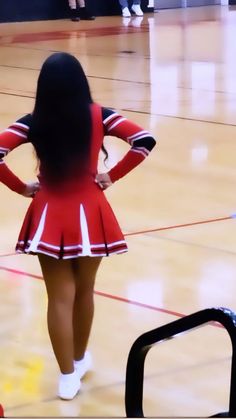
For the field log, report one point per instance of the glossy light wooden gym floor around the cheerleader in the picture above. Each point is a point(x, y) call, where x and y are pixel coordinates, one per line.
point(173, 72)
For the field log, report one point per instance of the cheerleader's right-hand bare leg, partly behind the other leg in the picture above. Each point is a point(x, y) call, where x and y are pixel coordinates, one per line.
point(85, 269)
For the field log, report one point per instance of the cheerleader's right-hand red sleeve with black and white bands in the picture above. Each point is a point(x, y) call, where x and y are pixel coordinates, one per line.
point(141, 142)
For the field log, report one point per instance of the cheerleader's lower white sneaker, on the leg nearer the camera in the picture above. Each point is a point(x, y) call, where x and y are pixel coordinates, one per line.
point(69, 385)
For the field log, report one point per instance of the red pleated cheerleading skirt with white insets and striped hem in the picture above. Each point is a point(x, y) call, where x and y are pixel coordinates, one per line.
point(70, 223)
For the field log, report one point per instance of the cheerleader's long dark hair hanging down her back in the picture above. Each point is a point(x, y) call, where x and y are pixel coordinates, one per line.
point(61, 120)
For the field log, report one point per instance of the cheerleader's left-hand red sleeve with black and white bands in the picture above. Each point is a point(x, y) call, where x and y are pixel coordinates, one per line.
point(11, 138)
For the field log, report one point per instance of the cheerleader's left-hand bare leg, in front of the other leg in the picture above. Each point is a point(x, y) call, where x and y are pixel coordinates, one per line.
point(61, 290)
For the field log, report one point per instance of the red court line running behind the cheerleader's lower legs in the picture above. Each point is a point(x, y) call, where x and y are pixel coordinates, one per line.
point(111, 296)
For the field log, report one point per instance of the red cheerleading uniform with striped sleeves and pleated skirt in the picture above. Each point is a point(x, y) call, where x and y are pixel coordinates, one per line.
point(75, 219)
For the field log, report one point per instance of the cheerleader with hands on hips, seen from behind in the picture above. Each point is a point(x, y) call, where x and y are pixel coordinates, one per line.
point(69, 224)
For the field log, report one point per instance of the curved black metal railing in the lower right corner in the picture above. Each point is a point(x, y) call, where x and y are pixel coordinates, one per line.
point(140, 348)
